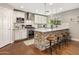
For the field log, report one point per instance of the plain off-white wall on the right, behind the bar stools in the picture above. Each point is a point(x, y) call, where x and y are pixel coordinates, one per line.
point(74, 25)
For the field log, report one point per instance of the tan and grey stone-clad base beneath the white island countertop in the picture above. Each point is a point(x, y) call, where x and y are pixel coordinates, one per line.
point(40, 39)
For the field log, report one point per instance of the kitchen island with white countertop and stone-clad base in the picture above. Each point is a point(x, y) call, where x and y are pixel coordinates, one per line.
point(41, 34)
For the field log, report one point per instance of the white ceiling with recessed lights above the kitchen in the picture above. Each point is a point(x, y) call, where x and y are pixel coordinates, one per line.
point(45, 8)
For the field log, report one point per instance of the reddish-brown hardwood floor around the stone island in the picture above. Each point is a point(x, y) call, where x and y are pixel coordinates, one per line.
point(19, 48)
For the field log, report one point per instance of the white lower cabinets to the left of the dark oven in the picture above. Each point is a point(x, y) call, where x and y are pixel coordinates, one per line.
point(20, 34)
